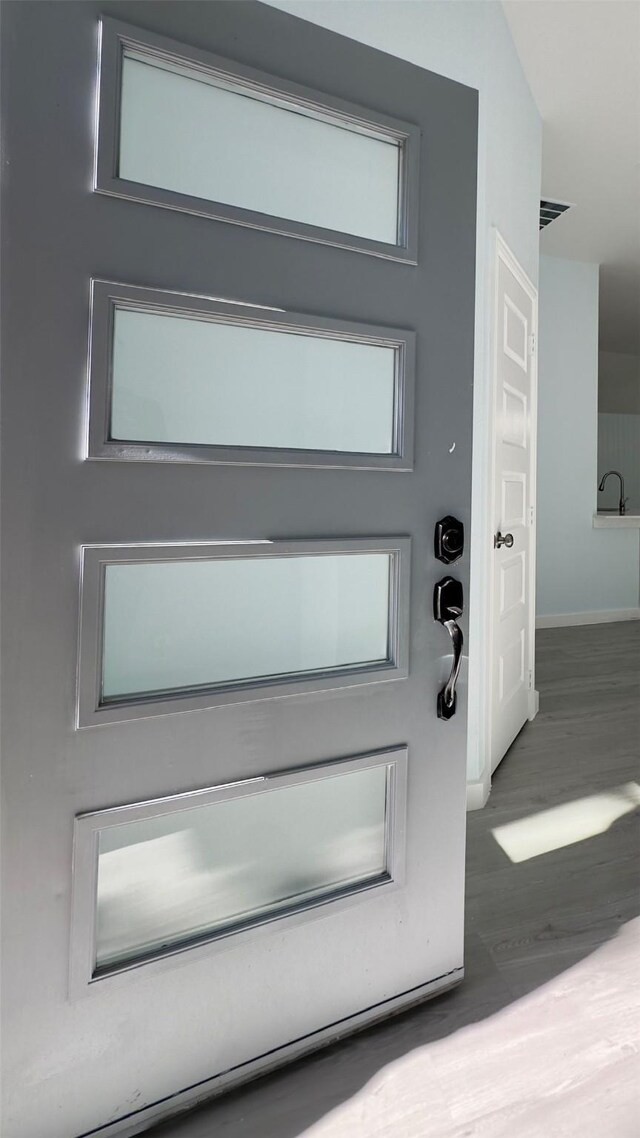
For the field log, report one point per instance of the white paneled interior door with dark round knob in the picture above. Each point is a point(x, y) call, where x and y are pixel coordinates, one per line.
point(513, 694)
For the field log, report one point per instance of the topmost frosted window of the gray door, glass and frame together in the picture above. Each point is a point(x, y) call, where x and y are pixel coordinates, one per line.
point(183, 128)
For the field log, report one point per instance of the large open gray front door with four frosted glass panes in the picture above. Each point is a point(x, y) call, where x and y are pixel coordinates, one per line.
point(126, 716)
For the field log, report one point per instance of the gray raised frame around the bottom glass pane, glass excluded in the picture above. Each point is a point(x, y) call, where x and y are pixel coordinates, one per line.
point(88, 827)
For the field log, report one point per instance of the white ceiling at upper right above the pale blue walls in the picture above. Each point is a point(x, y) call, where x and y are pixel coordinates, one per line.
point(582, 62)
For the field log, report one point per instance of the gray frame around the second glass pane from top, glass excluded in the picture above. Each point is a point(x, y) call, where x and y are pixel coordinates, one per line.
point(108, 296)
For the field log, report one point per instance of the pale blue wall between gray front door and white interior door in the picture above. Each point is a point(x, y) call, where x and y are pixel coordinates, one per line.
point(470, 43)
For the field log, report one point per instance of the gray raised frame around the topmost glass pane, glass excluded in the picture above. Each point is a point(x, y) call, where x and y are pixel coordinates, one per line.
point(117, 37)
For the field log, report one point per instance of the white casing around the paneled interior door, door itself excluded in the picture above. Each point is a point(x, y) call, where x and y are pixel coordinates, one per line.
point(503, 252)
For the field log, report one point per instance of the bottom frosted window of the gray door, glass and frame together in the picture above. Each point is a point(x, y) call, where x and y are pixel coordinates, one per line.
point(214, 869)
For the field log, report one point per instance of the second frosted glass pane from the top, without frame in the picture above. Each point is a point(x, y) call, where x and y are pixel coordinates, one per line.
point(177, 380)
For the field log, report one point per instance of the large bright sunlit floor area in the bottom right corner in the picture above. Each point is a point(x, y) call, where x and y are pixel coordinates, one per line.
point(563, 1060)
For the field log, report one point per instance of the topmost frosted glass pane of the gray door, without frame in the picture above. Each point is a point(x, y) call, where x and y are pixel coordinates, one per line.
point(225, 144)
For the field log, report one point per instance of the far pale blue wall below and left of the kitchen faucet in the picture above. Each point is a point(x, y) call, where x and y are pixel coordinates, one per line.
point(580, 570)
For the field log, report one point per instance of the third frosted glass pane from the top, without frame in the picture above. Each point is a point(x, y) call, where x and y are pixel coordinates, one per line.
point(178, 625)
